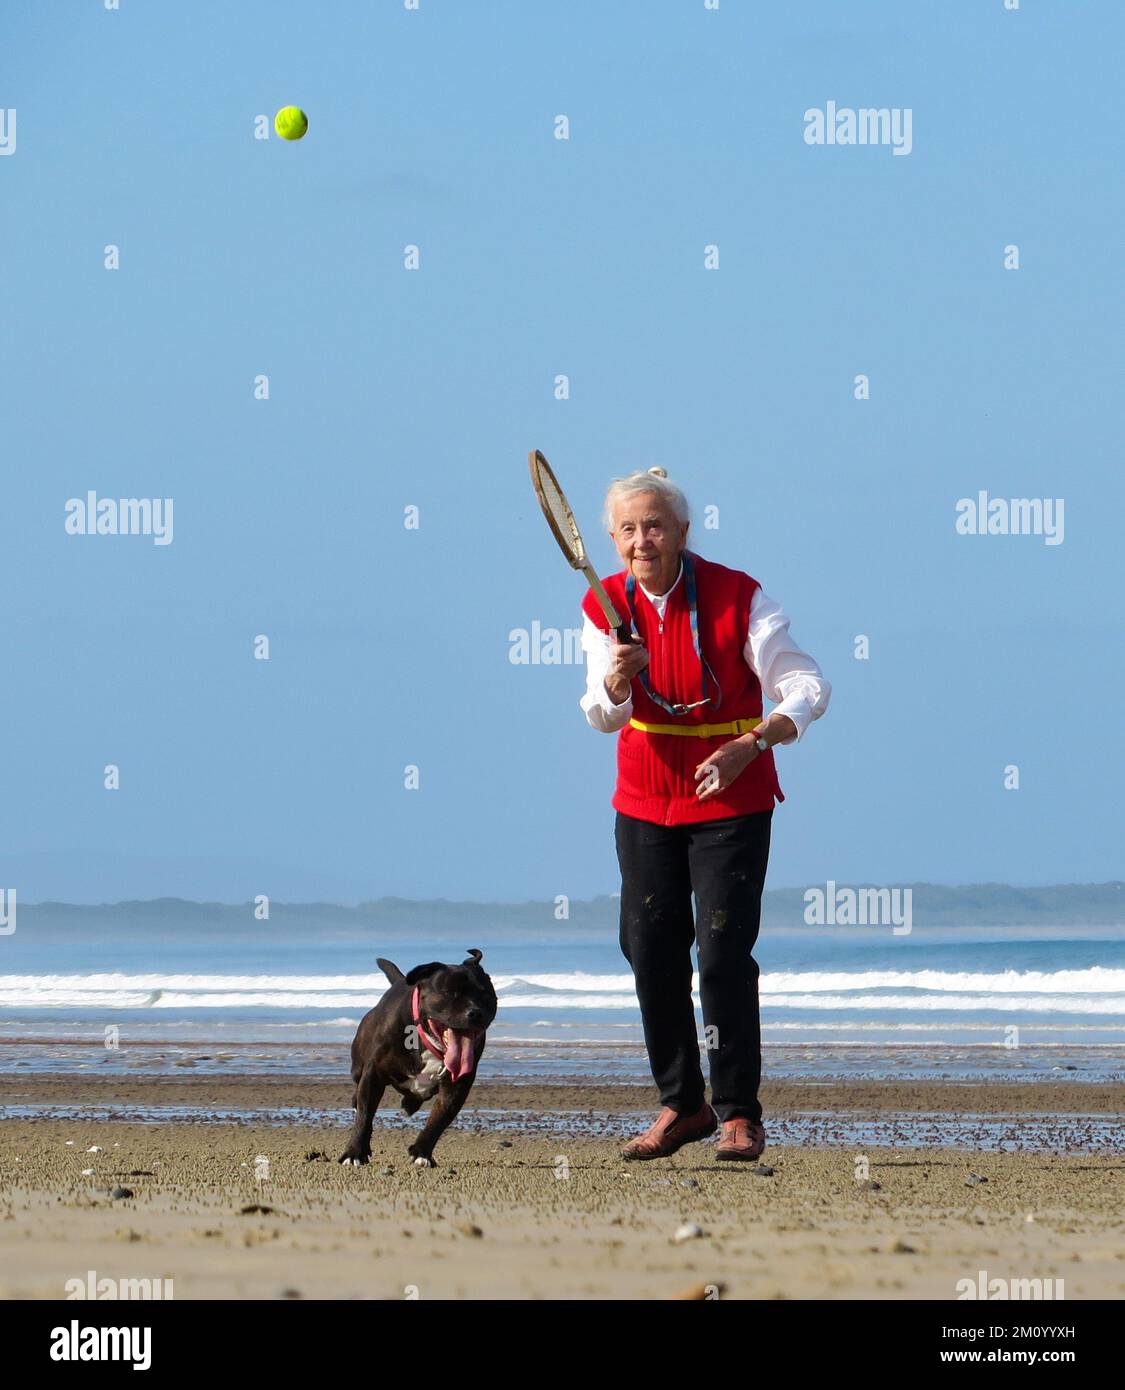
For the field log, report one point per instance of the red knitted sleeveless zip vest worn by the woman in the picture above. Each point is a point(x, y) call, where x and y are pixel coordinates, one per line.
point(656, 772)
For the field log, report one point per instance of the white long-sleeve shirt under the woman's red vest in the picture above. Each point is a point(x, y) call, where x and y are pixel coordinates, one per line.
point(789, 676)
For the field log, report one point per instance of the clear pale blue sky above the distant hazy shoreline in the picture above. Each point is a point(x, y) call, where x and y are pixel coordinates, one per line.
point(391, 389)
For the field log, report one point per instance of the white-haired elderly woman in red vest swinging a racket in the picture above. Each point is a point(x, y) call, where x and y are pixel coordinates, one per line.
point(695, 800)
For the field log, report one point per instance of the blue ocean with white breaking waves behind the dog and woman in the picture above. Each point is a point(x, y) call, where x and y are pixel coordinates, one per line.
point(137, 996)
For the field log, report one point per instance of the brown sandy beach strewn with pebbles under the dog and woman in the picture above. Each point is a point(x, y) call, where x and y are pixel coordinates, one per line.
point(544, 1207)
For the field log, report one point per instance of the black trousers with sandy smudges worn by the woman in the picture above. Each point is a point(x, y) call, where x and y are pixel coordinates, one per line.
point(724, 862)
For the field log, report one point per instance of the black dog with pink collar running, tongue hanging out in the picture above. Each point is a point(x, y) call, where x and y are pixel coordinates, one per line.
point(425, 1036)
